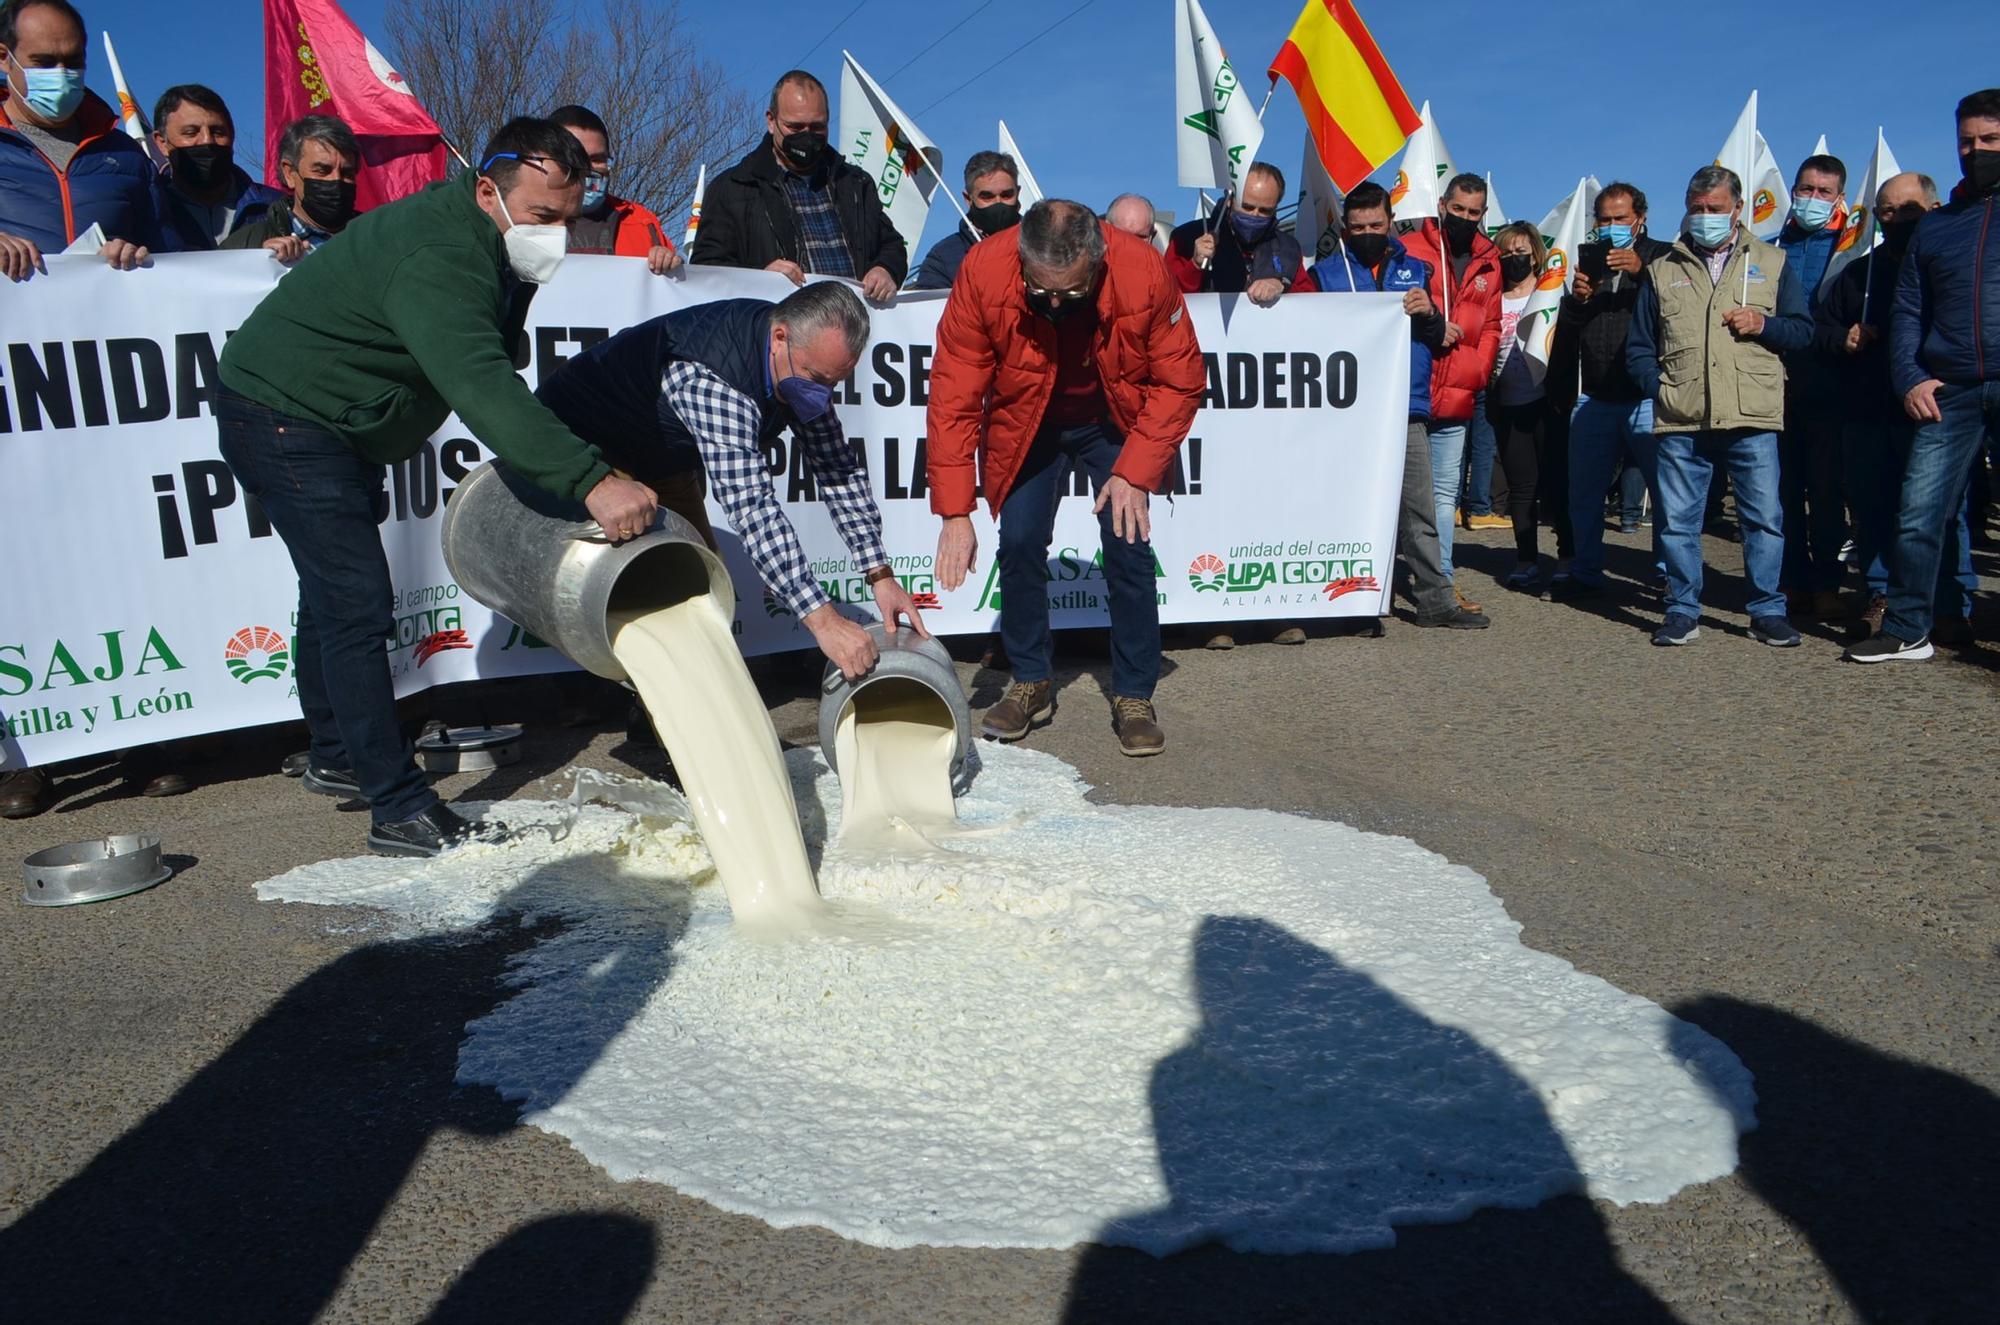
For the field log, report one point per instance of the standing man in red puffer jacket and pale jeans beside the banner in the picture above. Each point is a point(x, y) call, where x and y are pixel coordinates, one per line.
point(1465, 285)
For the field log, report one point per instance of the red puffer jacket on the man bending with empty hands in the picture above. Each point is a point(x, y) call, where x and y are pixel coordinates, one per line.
point(997, 369)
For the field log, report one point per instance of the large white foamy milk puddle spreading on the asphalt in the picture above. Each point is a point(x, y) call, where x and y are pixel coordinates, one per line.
point(1085, 1024)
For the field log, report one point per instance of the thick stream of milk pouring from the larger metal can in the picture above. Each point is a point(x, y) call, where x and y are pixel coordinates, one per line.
point(709, 716)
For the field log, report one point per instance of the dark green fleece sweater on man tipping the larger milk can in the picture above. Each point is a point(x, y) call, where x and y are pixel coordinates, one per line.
point(399, 321)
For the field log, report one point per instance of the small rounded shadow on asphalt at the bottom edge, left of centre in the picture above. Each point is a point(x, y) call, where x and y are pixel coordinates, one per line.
point(565, 1270)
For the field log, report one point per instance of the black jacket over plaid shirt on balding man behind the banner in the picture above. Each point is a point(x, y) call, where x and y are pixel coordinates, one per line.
point(747, 221)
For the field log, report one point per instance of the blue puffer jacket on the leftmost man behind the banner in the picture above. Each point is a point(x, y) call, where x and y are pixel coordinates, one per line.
point(109, 183)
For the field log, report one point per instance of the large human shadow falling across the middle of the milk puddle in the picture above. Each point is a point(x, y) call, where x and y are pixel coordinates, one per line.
point(1293, 1044)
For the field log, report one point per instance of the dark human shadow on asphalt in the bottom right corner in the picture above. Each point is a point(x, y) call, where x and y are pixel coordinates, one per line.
point(1889, 1168)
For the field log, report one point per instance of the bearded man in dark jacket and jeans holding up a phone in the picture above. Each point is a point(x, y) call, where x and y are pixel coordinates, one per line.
point(1613, 417)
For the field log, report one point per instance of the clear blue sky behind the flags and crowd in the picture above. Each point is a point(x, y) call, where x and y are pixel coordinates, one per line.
point(1539, 95)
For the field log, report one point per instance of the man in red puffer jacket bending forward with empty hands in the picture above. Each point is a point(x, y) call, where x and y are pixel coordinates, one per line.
point(1065, 347)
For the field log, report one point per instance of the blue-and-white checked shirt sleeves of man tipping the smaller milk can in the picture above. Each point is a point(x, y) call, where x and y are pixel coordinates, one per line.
point(725, 425)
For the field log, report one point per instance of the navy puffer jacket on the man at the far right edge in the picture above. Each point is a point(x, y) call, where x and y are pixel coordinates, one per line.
point(1947, 321)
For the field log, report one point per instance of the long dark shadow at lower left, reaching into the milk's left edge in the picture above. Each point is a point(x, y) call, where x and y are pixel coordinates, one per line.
point(249, 1194)
